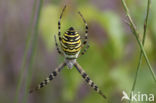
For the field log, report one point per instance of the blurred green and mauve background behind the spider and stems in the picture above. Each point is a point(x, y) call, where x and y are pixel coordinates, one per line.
point(111, 60)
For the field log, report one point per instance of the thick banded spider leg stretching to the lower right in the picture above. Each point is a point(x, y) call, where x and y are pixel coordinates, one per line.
point(88, 80)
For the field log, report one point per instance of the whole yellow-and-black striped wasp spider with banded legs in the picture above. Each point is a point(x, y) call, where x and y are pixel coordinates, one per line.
point(71, 45)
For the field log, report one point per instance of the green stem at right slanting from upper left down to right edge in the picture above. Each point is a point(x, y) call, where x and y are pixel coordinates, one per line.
point(133, 27)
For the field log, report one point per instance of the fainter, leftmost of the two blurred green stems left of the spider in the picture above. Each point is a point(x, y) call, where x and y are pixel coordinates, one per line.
point(22, 68)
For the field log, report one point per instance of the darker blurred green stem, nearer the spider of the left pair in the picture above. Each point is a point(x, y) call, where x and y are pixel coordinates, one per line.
point(34, 44)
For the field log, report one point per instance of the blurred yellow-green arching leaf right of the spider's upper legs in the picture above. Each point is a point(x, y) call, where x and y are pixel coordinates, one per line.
point(111, 23)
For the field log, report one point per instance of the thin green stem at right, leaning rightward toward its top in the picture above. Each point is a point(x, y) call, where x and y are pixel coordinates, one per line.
point(143, 42)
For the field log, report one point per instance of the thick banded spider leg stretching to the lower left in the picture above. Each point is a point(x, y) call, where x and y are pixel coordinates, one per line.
point(50, 78)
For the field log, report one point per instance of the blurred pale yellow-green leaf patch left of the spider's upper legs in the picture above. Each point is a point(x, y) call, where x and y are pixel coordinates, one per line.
point(48, 25)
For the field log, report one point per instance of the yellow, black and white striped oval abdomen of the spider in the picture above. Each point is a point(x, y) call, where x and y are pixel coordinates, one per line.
point(71, 43)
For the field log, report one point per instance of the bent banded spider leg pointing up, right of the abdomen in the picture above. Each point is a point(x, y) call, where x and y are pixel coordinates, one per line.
point(86, 31)
